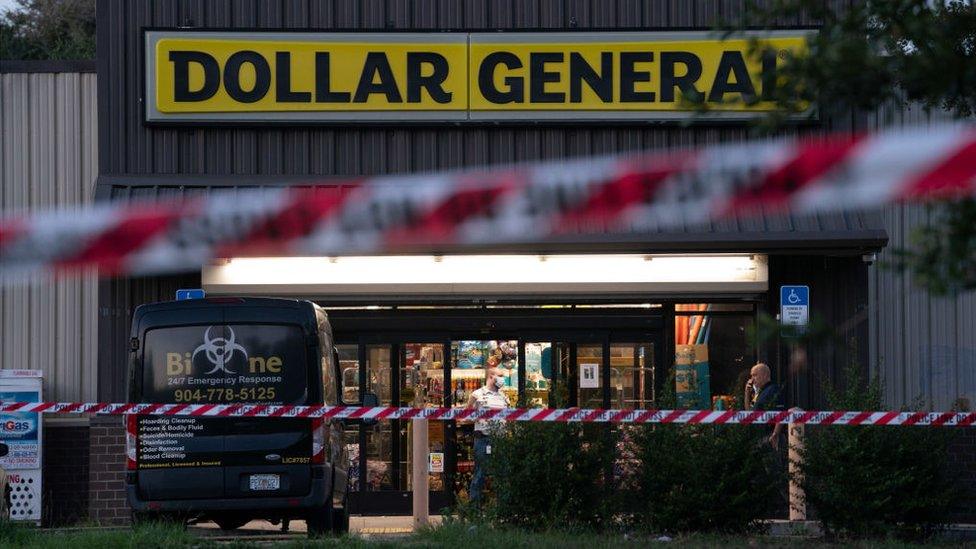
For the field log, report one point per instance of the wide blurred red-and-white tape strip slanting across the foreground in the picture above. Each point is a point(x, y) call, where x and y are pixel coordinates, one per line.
point(623, 195)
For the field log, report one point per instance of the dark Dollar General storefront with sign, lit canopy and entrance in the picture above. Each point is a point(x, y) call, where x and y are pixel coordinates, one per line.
point(210, 96)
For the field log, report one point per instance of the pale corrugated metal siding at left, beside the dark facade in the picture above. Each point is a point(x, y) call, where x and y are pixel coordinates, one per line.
point(48, 158)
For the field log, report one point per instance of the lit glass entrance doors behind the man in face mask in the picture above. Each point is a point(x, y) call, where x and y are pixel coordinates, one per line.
point(591, 370)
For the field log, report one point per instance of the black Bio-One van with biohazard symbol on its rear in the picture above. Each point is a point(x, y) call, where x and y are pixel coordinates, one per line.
point(232, 470)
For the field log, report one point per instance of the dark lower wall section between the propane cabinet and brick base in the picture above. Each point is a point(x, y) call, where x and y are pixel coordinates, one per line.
point(65, 471)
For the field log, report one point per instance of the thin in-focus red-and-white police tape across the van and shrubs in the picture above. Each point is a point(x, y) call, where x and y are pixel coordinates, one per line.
point(563, 415)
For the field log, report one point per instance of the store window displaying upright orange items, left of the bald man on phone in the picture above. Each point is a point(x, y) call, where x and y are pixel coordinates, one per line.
point(712, 354)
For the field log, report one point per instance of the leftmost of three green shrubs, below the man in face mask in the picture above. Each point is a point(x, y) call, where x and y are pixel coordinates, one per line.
point(550, 475)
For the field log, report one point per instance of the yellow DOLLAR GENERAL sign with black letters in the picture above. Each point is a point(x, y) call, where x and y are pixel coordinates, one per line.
point(308, 77)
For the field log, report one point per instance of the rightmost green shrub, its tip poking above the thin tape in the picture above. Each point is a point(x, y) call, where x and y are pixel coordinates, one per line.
point(875, 481)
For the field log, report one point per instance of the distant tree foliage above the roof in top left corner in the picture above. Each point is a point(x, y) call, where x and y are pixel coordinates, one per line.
point(48, 29)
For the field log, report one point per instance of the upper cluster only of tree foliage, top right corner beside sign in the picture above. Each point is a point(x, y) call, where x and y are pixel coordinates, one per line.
point(876, 52)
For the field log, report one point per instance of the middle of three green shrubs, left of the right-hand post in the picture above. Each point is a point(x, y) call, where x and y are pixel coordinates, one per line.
point(705, 478)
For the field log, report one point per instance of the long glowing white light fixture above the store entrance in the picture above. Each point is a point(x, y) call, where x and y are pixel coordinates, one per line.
point(484, 273)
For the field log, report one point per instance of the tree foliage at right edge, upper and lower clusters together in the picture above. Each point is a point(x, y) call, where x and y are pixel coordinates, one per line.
point(871, 54)
